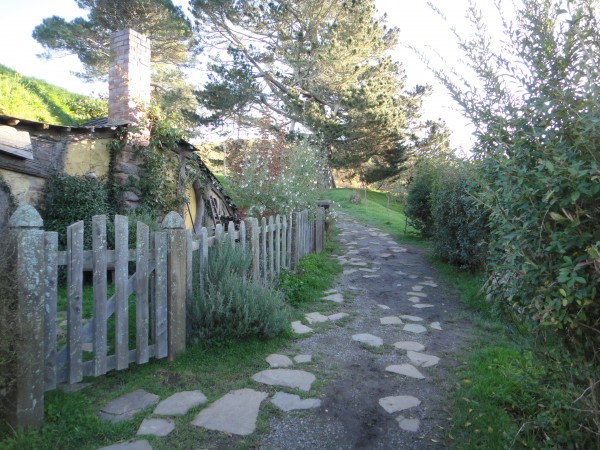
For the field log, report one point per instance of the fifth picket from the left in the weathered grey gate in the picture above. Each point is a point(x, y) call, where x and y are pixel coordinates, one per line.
point(142, 315)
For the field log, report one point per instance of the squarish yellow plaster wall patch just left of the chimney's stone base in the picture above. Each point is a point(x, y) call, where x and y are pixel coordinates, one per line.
point(87, 156)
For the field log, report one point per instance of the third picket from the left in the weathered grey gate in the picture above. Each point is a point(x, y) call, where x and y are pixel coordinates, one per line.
point(100, 292)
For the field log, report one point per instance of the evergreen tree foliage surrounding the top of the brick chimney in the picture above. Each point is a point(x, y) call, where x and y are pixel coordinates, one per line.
point(171, 33)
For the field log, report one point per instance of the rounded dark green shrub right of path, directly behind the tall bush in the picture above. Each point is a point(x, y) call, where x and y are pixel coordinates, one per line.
point(460, 223)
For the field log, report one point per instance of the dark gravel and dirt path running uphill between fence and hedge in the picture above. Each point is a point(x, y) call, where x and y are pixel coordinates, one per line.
point(378, 274)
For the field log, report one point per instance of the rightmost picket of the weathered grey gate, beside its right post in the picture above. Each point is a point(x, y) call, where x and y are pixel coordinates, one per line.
point(160, 296)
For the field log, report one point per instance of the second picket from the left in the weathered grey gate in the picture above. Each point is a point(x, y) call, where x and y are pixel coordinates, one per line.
point(74, 300)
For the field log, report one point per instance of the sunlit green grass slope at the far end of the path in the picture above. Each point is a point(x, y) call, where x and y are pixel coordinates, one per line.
point(373, 211)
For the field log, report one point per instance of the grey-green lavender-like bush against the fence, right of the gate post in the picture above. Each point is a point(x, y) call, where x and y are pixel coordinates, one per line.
point(231, 305)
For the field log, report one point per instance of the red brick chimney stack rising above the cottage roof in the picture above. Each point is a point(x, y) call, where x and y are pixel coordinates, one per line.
point(129, 76)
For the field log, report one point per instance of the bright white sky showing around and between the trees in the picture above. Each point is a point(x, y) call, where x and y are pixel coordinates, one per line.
point(418, 25)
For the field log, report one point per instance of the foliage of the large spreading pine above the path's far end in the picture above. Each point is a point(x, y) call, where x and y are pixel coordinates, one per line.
point(322, 66)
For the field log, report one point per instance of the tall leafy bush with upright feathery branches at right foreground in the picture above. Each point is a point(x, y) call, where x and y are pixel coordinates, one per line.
point(536, 110)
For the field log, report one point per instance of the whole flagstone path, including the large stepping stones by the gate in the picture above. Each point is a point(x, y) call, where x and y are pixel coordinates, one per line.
point(383, 369)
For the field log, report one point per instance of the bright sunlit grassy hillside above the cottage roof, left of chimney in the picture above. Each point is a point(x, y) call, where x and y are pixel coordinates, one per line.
point(33, 99)
